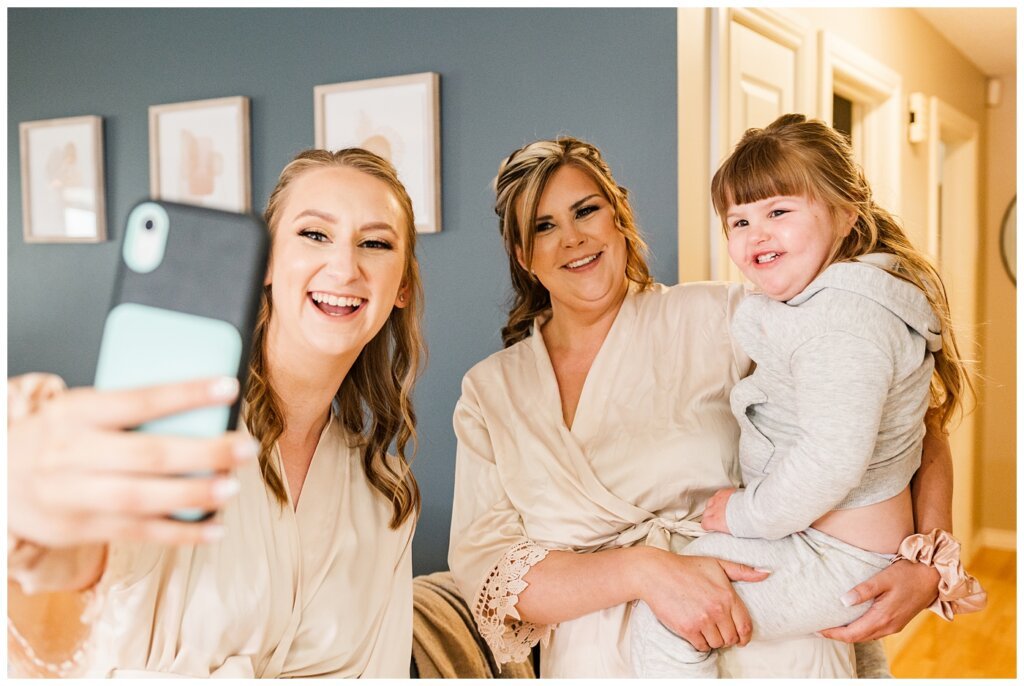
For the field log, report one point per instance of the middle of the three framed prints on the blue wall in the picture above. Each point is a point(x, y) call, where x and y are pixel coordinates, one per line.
point(199, 154)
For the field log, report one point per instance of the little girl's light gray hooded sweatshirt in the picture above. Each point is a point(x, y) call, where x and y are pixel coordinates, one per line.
point(833, 416)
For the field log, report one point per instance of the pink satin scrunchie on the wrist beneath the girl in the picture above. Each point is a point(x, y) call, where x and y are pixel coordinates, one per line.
point(960, 593)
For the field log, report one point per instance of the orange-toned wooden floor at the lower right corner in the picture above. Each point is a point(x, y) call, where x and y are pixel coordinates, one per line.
point(979, 646)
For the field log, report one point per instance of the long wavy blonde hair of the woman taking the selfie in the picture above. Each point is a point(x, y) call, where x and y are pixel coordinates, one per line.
point(375, 399)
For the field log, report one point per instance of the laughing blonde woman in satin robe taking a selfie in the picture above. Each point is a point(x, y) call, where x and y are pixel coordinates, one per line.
point(307, 572)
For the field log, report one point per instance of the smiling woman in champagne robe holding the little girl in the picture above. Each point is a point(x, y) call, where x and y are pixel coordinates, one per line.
point(589, 447)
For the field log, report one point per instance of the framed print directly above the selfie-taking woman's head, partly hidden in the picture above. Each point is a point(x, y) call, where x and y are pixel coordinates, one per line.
point(398, 118)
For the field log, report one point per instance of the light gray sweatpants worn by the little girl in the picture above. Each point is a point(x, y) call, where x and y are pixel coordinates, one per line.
point(810, 572)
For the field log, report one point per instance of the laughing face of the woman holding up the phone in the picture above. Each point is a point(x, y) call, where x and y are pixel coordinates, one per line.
point(337, 262)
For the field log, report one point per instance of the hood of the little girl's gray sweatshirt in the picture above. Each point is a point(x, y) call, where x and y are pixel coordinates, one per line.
point(869, 278)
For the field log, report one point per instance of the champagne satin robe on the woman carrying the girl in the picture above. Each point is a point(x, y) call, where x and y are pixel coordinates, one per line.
point(653, 439)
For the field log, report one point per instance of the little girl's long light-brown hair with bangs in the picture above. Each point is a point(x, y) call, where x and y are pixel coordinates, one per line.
point(794, 156)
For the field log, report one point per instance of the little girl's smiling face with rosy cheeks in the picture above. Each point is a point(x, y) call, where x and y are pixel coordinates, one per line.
point(783, 243)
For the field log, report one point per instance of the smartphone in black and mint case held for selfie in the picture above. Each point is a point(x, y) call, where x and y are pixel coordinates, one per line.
point(186, 303)
